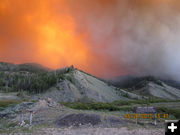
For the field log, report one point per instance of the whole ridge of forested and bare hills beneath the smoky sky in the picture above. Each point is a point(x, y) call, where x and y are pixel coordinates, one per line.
point(70, 84)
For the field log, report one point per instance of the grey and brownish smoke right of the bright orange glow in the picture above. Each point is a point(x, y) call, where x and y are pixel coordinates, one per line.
point(140, 37)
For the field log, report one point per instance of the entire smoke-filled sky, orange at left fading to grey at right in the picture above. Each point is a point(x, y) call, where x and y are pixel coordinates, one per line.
point(106, 38)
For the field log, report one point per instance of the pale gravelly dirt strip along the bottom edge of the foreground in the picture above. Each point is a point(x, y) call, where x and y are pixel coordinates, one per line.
point(99, 131)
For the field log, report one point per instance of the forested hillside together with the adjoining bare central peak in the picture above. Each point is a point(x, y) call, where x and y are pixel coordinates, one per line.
point(67, 85)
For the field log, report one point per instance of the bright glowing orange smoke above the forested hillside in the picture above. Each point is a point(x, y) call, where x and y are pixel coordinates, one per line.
point(33, 32)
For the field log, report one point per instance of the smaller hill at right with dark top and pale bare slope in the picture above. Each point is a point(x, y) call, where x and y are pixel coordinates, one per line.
point(151, 86)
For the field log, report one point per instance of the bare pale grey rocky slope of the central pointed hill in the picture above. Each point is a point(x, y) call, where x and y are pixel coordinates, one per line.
point(79, 86)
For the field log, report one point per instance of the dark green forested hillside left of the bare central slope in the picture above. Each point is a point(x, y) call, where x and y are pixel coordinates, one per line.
point(28, 77)
